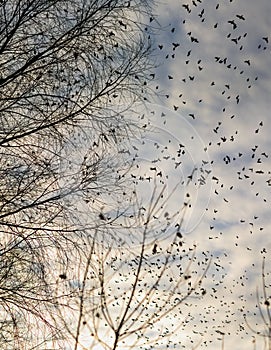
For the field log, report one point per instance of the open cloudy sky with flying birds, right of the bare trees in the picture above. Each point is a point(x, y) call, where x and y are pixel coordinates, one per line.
point(214, 85)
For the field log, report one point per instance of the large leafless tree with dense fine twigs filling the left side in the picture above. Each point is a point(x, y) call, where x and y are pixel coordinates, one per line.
point(65, 66)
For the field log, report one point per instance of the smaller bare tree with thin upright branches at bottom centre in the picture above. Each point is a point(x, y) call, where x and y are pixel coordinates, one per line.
point(137, 297)
